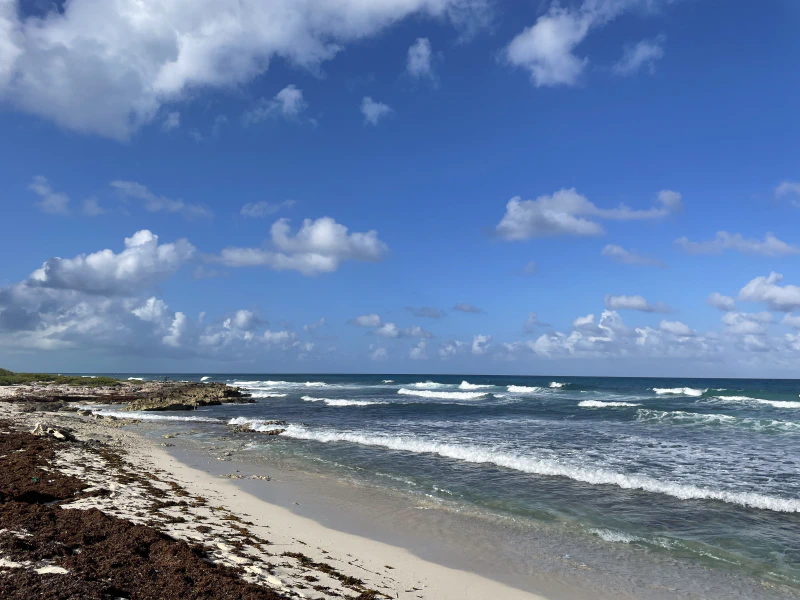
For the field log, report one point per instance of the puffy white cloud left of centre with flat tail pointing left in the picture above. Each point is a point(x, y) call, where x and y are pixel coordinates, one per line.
point(319, 246)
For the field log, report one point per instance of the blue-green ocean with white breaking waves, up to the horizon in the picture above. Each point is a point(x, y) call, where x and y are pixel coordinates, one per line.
point(699, 470)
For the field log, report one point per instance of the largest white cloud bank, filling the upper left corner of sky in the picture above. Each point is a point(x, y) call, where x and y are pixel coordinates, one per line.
point(97, 68)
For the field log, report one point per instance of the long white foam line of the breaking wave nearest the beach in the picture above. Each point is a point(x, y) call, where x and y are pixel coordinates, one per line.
point(548, 467)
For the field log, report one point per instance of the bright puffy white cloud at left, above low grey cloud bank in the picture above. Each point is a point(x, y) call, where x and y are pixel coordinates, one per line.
point(143, 263)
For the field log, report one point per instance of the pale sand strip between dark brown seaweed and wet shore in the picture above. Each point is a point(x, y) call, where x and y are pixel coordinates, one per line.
point(393, 571)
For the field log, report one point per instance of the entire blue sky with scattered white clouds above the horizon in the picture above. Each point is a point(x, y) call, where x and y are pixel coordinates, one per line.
point(595, 187)
